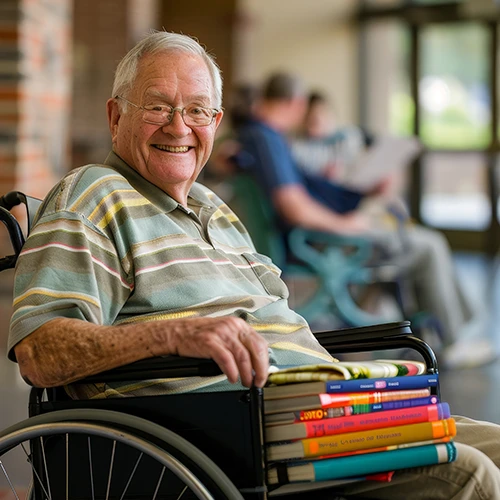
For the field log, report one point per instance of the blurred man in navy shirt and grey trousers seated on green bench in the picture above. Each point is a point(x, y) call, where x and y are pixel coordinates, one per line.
point(312, 201)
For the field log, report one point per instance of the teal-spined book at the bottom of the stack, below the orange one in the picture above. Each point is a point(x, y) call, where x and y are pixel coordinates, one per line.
point(370, 463)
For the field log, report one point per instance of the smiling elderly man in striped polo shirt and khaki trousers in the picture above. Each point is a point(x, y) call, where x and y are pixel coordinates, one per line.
point(132, 259)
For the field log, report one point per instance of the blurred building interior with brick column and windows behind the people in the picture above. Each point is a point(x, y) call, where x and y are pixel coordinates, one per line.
point(424, 68)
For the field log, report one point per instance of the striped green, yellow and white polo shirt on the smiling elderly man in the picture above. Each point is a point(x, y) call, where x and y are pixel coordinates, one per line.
point(110, 248)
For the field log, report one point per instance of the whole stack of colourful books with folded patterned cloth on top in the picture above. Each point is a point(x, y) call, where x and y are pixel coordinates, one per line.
point(352, 421)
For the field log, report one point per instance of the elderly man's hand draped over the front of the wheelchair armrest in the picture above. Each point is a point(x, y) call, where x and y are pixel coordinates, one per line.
point(236, 347)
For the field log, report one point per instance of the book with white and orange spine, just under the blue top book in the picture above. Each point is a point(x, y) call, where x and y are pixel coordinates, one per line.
point(322, 400)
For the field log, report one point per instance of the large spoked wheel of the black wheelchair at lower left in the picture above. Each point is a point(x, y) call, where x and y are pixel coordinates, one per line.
point(100, 454)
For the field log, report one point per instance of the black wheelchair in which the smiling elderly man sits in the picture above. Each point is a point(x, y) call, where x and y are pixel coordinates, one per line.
point(213, 441)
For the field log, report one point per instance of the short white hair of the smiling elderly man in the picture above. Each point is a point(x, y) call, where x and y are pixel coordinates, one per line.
point(163, 41)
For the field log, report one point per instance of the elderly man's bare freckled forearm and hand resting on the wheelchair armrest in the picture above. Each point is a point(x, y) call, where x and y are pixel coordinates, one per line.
point(66, 350)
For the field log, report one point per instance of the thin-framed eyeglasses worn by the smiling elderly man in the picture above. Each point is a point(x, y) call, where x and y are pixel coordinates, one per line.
point(163, 114)
